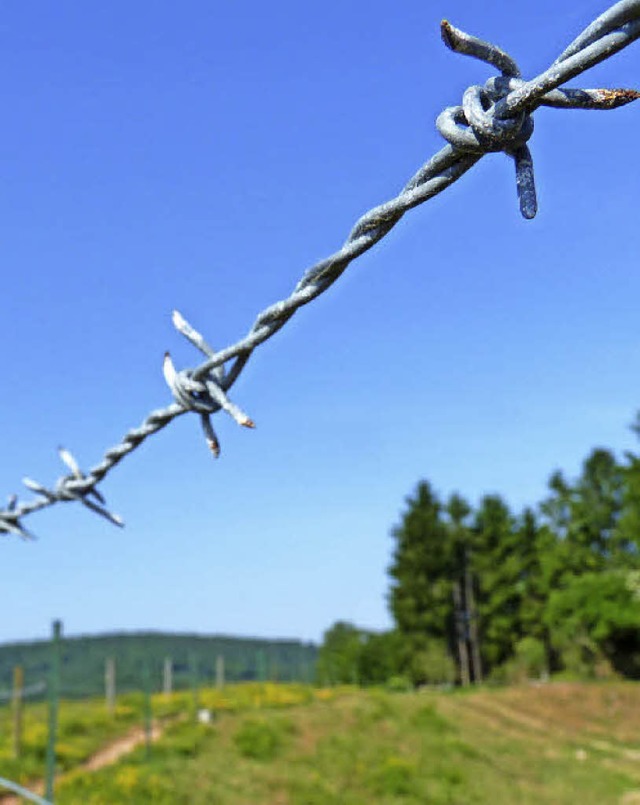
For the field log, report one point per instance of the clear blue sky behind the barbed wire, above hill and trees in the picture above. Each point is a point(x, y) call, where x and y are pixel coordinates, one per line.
point(200, 156)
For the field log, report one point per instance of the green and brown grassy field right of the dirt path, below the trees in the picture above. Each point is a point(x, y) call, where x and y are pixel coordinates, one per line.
point(557, 743)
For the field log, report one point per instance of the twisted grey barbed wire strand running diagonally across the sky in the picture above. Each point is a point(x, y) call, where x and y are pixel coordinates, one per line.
point(494, 117)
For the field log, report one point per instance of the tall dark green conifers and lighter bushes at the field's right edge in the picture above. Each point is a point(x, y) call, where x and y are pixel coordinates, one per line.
point(484, 592)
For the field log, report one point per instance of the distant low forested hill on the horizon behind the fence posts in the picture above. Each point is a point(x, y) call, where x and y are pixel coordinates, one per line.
point(192, 656)
